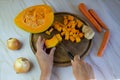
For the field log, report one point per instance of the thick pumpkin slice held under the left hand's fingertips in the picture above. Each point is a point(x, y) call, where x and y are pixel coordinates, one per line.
point(49, 43)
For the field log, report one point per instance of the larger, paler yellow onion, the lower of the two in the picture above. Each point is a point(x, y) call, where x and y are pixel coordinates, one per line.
point(22, 65)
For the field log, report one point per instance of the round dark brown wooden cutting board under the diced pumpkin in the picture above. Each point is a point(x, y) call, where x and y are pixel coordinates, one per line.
point(60, 57)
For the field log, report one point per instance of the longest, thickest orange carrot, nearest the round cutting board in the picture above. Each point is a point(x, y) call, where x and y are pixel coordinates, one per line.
point(82, 7)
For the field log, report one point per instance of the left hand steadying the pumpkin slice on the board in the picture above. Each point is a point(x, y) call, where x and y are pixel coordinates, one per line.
point(45, 60)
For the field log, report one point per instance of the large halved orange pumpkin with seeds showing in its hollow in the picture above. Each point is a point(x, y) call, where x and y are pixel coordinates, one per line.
point(35, 19)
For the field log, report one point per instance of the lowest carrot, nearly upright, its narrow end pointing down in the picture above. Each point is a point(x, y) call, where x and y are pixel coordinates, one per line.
point(104, 43)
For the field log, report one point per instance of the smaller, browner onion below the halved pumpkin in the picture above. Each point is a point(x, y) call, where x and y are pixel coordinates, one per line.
point(13, 44)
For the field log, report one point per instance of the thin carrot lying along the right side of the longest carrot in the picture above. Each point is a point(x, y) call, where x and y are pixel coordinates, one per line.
point(96, 17)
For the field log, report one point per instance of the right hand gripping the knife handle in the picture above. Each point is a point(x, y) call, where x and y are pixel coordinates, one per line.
point(81, 70)
